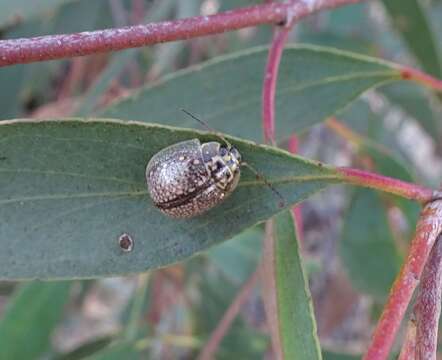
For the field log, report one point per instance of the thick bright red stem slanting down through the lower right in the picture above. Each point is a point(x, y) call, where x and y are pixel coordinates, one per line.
point(428, 228)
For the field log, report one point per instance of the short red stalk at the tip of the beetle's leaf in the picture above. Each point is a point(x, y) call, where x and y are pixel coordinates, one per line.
point(398, 187)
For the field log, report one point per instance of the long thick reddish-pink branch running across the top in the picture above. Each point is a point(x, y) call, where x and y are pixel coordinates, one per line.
point(42, 48)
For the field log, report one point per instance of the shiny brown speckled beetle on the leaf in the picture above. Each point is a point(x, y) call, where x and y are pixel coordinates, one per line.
point(188, 178)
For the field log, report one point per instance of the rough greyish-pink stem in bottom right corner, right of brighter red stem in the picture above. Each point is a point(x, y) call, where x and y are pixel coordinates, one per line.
point(428, 305)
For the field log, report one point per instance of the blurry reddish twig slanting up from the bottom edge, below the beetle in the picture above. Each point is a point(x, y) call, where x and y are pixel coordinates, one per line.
point(229, 316)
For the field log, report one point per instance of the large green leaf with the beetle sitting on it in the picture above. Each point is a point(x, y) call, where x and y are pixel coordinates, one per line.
point(70, 188)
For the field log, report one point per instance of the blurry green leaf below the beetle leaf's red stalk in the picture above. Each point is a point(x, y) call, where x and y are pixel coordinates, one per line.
point(367, 248)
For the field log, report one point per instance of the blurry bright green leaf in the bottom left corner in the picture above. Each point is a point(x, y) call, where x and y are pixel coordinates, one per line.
point(28, 321)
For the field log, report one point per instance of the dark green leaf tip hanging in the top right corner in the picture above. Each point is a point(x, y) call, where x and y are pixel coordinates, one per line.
point(410, 20)
